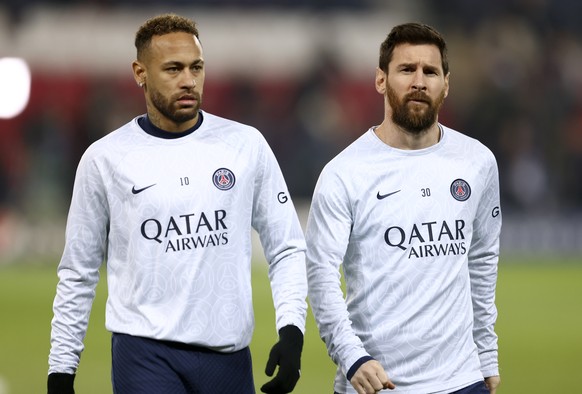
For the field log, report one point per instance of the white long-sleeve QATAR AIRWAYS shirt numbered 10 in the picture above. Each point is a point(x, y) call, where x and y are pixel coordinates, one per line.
point(172, 220)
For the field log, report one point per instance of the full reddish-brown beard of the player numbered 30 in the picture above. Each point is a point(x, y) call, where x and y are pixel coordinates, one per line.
point(411, 118)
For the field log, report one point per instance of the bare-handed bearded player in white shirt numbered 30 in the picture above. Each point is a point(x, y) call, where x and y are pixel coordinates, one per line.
point(410, 210)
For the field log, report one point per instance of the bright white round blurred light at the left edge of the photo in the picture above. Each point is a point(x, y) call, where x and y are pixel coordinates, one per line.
point(14, 86)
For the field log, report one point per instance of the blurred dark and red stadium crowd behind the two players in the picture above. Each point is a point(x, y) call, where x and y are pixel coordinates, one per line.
point(518, 89)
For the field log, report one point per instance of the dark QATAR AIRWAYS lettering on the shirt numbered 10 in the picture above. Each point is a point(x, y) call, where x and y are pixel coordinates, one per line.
point(187, 232)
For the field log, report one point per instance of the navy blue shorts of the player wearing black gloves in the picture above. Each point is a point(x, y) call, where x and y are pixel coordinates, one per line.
point(147, 366)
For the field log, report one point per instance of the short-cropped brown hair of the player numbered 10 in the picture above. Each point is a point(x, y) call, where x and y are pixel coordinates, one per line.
point(160, 25)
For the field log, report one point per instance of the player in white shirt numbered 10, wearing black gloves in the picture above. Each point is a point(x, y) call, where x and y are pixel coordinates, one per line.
point(168, 202)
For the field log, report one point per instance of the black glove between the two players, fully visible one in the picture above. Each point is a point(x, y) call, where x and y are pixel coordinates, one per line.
point(287, 354)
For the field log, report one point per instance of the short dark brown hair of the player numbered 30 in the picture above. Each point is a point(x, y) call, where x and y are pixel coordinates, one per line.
point(415, 34)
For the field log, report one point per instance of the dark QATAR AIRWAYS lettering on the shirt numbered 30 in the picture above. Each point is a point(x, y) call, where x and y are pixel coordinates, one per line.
point(428, 239)
